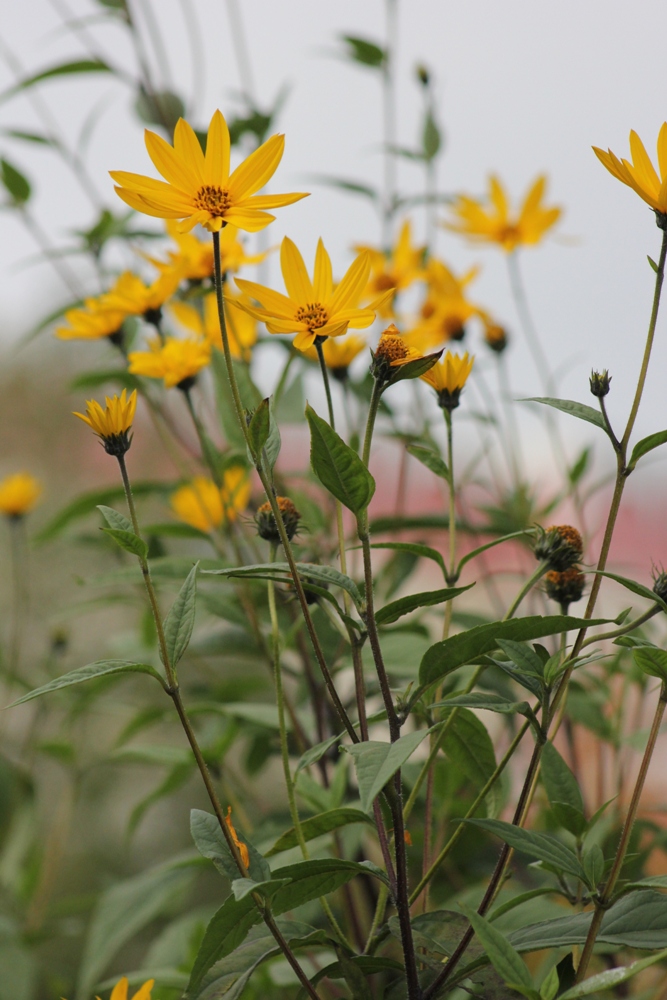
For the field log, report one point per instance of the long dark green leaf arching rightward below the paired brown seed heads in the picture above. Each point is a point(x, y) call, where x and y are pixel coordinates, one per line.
point(447, 655)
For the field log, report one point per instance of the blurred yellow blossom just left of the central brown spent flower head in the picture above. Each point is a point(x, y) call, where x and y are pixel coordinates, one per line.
point(205, 506)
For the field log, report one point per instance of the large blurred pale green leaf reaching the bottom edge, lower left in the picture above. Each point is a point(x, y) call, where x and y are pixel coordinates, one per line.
point(123, 911)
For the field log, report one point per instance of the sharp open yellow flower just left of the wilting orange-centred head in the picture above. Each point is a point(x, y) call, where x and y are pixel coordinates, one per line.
point(314, 308)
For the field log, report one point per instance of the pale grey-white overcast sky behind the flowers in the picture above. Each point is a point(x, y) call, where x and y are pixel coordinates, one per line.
point(523, 87)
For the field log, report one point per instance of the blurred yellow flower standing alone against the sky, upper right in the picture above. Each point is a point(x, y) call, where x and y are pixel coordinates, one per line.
point(496, 224)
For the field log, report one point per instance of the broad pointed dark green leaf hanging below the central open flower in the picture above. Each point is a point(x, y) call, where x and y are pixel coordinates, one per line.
point(337, 466)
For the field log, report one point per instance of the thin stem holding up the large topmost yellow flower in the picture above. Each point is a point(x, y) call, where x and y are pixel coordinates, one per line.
point(270, 493)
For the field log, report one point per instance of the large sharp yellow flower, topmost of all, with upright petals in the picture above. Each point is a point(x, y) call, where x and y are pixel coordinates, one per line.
point(199, 187)
